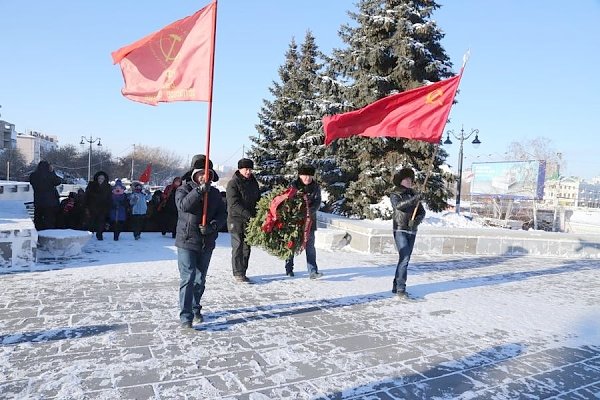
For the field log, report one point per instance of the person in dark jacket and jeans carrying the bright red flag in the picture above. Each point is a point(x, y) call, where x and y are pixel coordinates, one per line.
point(404, 200)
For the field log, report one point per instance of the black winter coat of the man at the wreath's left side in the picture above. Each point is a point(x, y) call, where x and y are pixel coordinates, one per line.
point(242, 196)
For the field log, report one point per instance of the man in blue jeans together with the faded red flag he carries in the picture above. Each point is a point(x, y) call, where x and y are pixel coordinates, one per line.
point(176, 63)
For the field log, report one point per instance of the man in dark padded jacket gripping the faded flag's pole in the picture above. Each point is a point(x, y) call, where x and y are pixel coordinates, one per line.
point(195, 242)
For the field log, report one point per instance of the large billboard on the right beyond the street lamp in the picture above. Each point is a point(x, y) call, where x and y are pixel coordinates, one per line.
point(512, 179)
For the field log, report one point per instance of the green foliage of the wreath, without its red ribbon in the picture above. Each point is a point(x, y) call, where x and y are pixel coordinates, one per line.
point(287, 236)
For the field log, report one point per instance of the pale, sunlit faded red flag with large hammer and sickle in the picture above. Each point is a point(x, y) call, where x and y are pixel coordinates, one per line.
point(173, 64)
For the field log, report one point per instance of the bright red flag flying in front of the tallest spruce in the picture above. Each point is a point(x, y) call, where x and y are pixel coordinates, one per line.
point(418, 114)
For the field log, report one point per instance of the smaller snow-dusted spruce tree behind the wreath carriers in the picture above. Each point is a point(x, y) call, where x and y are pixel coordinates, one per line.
point(290, 132)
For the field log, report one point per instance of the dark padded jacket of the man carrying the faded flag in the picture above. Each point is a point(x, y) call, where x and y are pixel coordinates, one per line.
point(190, 210)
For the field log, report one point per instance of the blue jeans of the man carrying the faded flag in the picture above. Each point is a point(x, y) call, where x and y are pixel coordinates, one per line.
point(193, 266)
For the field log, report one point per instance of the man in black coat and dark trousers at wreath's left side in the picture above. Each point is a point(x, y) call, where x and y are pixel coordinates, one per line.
point(242, 195)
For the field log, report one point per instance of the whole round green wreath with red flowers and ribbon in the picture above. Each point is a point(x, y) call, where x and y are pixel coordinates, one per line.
point(282, 223)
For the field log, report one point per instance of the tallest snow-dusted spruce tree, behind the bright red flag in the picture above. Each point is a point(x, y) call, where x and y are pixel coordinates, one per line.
point(394, 46)
